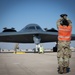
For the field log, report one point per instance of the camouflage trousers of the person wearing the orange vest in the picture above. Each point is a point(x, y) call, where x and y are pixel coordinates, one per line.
point(63, 53)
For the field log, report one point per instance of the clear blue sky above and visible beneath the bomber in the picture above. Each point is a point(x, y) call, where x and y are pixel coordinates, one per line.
point(19, 13)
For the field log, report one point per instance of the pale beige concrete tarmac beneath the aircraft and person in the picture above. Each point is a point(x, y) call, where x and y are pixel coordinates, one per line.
point(32, 64)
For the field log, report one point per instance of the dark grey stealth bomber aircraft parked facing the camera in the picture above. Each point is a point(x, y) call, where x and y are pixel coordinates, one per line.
point(32, 33)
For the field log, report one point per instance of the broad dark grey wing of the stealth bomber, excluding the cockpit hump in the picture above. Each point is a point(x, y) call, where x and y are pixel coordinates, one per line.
point(27, 37)
